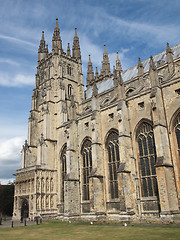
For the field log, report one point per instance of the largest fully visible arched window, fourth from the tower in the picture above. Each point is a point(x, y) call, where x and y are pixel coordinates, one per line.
point(147, 160)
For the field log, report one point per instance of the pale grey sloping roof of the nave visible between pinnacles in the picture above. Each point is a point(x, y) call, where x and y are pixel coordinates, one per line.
point(159, 60)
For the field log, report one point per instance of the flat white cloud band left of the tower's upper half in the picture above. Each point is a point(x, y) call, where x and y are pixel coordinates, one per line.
point(18, 80)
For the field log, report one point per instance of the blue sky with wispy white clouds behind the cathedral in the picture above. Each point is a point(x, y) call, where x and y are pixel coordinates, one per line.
point(134, 28)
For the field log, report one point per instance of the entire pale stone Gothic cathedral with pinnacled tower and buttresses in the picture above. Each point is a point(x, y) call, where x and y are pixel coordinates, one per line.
point(109, 150)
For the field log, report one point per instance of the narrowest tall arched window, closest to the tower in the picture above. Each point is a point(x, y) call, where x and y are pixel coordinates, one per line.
point(63, 169)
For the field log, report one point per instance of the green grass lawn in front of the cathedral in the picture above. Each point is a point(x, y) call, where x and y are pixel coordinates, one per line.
point(55, 229)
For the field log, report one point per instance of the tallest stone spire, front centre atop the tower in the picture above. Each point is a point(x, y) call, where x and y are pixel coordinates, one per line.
point(56, 40)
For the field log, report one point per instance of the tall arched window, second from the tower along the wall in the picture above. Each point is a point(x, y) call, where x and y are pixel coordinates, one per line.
point(87, 167)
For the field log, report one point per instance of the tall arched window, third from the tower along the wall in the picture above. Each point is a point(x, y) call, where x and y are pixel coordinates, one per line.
point(112, 146)
